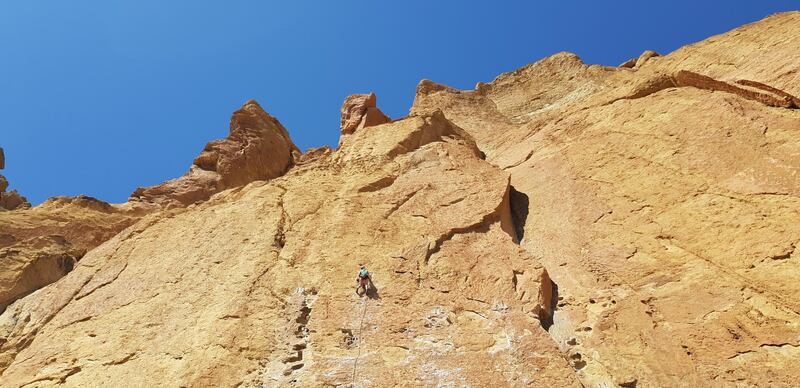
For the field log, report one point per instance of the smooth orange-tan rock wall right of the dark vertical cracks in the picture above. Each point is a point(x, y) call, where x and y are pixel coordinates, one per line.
point(664, 205)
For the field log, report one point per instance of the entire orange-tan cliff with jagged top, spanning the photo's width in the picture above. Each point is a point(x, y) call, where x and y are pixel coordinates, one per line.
point(563, 225)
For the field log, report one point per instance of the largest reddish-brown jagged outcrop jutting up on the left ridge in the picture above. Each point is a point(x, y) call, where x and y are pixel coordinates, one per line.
point(257, 148)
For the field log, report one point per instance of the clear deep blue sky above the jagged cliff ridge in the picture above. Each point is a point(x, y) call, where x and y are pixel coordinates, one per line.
point(99, 97)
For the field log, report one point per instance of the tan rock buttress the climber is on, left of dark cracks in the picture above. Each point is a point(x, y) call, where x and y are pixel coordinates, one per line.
point(256, 285)
